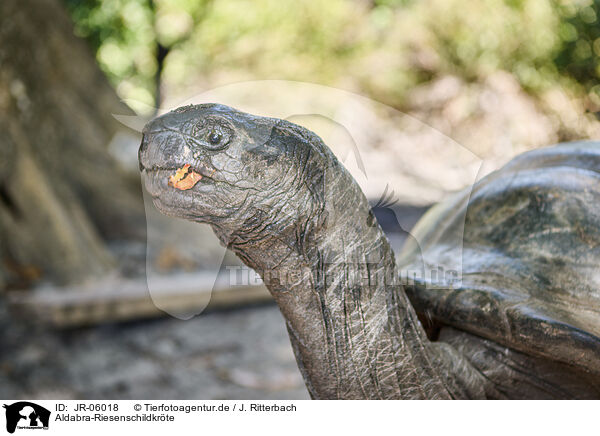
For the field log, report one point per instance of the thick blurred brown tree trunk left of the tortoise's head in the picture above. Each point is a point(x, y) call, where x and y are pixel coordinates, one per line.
point(62, 196)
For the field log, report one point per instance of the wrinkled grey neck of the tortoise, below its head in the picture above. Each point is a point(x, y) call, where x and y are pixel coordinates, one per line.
point(332, 272)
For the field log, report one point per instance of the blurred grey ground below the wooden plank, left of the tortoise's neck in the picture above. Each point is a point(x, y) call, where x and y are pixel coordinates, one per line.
point(241, 354)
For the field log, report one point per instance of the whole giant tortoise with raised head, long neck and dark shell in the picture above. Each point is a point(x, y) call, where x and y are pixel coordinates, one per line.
point(521, 319)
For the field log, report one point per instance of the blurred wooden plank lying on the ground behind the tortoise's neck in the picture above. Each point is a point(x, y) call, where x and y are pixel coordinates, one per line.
point(125, 300)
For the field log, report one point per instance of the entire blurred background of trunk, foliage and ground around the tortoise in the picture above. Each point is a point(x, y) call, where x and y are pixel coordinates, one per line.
point(492, 78)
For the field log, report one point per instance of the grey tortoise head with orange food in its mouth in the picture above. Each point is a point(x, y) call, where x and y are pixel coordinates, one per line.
point(245, 170)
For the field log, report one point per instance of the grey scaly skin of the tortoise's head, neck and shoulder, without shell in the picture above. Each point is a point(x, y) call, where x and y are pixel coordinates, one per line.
point(276, 195)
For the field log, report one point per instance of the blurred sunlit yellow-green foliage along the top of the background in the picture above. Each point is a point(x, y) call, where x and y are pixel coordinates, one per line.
point(380, 47)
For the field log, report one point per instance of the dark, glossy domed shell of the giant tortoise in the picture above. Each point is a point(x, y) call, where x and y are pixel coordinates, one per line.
point(517, 256)
